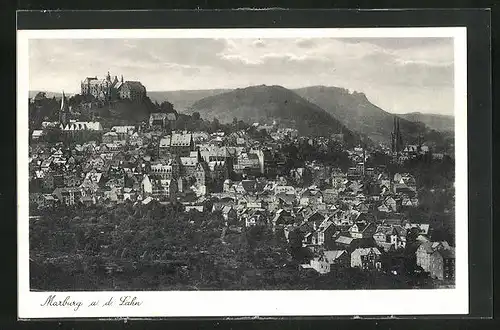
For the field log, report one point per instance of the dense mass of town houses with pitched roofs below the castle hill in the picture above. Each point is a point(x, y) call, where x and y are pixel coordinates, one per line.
point(340, 220)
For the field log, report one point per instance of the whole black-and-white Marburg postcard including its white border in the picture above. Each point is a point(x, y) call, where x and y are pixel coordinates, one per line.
point(246, 162)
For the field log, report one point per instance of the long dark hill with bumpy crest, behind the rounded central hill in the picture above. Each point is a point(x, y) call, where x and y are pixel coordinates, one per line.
point(358, 114)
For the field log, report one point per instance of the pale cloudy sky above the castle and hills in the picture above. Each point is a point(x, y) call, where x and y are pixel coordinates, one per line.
point(400, 75)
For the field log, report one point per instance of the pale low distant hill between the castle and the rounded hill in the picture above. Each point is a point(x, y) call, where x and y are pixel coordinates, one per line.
point(183, 99)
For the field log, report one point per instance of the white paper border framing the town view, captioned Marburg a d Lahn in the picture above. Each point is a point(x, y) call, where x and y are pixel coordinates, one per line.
point(252, 303)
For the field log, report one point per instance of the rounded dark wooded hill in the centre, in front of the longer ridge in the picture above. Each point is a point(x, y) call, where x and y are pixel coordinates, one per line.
point(264, 104)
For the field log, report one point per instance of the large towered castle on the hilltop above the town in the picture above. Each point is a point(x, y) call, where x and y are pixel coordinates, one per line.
point(108, 89)
